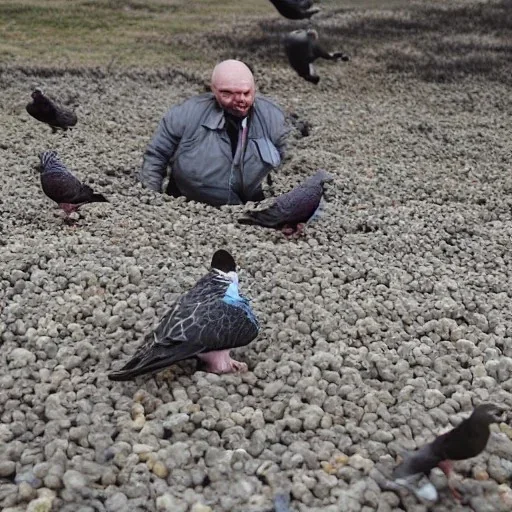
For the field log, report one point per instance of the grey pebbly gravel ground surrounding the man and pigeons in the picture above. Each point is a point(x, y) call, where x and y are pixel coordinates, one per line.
point(382, 327)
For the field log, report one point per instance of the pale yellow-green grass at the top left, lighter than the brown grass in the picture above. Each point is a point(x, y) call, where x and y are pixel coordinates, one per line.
point(142, 33)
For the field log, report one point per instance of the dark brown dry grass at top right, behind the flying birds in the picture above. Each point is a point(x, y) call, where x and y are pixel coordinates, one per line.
point(430, 40)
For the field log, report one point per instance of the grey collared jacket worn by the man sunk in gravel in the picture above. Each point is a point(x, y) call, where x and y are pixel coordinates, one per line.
point(193, 139)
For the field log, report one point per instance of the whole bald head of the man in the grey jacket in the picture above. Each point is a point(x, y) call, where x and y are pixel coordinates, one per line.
point(233, 86)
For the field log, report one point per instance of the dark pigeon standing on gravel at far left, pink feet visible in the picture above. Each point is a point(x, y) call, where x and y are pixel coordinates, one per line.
point(62, 187)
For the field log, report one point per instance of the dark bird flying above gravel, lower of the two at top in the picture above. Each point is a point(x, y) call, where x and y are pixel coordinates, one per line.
point(302, 49)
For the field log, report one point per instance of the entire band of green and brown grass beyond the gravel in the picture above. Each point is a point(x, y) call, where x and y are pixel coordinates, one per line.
point(433, 40)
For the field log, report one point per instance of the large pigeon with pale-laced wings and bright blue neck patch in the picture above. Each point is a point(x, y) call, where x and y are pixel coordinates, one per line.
point(206, 322)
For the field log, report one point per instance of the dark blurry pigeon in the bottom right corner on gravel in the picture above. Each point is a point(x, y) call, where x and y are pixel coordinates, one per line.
point(463, 442)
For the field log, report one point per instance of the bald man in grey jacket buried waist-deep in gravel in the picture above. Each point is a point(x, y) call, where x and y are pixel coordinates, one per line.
point(221, 145)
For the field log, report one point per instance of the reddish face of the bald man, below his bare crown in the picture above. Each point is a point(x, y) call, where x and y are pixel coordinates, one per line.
point(235, 95)
